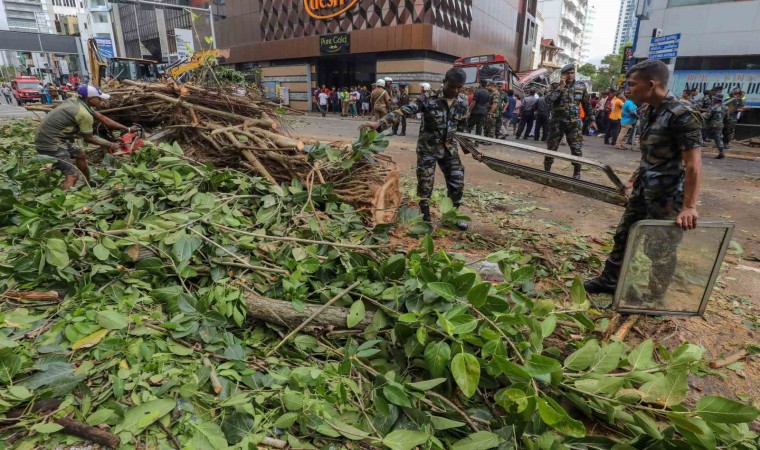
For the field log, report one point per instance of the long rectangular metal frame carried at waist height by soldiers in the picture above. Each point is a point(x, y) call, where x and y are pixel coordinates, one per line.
point(585, 188)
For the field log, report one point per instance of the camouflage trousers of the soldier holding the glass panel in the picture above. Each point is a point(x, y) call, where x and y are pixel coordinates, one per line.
point(658, 245)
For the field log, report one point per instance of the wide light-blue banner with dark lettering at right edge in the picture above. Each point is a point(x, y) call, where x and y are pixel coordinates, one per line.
point(746, 80)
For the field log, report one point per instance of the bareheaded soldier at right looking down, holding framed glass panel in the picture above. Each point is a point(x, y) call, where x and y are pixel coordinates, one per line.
point(666, 184)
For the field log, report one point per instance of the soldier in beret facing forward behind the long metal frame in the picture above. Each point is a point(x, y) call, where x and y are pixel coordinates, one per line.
point(565, 100)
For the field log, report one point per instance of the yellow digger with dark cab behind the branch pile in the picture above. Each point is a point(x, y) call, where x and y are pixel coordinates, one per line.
point(111, 71)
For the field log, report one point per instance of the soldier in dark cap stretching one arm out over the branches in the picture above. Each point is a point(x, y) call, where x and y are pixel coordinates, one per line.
point(444, 113)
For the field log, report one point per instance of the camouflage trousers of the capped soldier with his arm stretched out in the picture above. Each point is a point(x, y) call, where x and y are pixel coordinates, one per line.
point(453, 173)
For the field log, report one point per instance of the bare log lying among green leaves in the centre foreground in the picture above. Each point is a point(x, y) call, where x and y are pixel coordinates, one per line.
point(282, 313)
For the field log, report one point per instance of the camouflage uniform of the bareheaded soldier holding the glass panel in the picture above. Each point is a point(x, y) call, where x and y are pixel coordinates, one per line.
point(666, 132)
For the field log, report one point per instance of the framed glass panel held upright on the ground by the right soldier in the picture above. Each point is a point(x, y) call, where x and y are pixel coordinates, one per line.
point(670, 270)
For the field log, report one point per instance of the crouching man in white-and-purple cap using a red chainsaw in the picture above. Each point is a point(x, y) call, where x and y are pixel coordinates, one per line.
point(59, 128)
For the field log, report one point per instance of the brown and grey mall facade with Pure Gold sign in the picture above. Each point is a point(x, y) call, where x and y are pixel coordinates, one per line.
point(301, 44)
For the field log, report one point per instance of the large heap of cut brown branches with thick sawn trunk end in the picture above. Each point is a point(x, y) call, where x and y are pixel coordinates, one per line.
point(234, 127)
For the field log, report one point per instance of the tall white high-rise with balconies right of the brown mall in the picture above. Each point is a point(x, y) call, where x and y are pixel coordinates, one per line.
point(564, 22)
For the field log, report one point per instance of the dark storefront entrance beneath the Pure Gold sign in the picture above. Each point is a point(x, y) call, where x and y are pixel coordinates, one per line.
point(346, 70)
